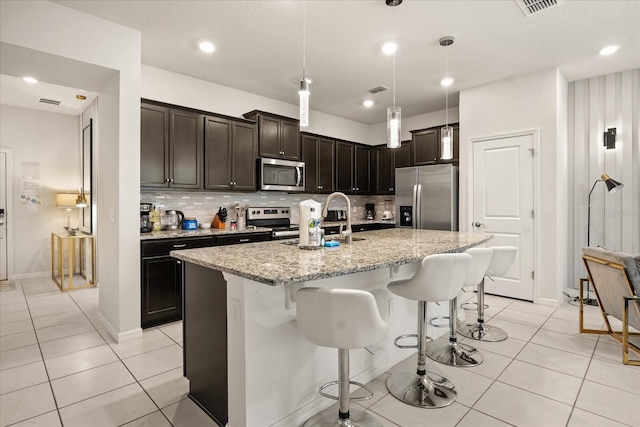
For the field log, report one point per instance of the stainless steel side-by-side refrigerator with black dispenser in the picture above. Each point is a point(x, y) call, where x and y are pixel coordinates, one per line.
point(427, 197)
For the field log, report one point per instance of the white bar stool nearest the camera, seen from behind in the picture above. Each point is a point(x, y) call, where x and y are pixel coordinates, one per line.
point(342, 319)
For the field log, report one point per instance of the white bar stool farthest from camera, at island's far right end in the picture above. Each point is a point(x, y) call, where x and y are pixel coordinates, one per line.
point(503, 257)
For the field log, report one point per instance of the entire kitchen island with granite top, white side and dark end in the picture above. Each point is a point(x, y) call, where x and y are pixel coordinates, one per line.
point(247, 363)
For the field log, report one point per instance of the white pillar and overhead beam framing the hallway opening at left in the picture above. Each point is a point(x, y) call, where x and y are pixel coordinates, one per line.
point(53, 29)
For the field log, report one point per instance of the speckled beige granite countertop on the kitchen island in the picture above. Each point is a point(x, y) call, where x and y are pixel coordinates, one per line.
point(278, 263)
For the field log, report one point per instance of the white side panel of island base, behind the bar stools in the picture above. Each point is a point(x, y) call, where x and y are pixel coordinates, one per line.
point(274, 372)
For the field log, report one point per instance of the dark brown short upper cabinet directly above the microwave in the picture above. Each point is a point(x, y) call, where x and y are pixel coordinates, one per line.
point(278, 136)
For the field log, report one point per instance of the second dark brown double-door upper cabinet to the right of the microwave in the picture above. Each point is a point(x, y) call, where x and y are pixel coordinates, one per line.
point(353, 168)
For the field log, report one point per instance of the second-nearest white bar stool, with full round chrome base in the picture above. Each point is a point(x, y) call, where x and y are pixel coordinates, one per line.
point(438, 278)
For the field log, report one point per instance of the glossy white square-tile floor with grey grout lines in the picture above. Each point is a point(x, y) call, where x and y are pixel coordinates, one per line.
point(58, 367)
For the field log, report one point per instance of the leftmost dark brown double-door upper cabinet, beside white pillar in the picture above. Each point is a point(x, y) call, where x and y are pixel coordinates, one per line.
point(171, 141)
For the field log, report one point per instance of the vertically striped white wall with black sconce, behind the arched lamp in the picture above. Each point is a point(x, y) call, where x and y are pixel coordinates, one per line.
point(595, 105)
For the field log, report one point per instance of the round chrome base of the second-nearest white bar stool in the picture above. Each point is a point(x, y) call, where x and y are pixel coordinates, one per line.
point(424, 391)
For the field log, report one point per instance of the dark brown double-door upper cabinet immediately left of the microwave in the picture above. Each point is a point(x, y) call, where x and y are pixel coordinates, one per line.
point(230, 148)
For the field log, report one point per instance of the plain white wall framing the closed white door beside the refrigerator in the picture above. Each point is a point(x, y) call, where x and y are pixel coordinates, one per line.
point(532, 101)
